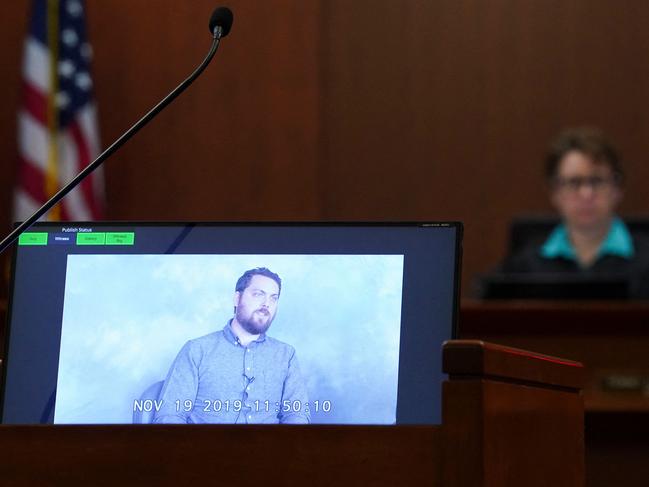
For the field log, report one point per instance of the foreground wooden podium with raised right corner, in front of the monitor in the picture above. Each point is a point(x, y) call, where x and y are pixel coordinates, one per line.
point(510, 418)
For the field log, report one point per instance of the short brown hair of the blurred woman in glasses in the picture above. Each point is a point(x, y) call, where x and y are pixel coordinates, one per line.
point(587, 140)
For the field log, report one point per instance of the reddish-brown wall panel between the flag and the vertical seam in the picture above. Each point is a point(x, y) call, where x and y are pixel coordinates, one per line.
point(241, 143)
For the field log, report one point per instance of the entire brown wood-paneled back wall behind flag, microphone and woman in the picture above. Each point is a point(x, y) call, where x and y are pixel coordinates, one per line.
point(354, 110)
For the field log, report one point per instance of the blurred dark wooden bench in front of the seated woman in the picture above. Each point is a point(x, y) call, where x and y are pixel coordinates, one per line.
point(612, 340)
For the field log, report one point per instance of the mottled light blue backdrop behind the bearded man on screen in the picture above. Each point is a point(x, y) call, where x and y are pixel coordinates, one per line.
point(126, 317)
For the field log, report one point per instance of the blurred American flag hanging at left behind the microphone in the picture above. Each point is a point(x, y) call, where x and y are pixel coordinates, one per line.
point(57, 128)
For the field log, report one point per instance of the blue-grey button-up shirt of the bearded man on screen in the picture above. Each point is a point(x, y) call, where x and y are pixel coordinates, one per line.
point(215, 379)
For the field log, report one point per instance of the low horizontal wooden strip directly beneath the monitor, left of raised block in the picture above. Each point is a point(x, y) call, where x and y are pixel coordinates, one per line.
point(172, 455)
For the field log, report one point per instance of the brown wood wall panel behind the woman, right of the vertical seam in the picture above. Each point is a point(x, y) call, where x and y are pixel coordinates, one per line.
point(442, 109)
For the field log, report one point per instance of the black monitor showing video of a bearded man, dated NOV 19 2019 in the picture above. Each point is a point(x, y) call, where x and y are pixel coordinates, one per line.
point(230, 323)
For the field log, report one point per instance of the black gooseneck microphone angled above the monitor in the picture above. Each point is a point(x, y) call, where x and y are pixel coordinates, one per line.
point(220, 25)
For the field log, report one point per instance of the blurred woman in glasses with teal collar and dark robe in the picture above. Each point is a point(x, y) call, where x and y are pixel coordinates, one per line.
point(585, 178)
